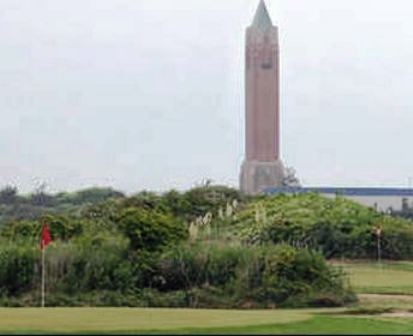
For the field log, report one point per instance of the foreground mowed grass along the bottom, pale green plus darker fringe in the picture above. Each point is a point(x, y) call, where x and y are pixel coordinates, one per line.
point(175, 321)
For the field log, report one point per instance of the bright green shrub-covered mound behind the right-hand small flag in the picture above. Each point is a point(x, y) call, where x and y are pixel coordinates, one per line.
point(337, 227)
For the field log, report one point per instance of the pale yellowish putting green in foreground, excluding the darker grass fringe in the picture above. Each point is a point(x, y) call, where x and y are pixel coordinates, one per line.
point(133, 320)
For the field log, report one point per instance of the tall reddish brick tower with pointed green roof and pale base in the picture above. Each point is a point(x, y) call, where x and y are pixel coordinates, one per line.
point(262, 167)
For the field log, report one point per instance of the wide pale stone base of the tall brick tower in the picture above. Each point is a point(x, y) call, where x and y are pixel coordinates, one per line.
point(257, 176)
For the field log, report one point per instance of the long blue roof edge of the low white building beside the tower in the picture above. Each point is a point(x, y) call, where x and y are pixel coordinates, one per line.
point(343, 191)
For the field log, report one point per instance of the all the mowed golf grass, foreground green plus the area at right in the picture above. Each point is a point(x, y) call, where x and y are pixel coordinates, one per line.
point(387, 286)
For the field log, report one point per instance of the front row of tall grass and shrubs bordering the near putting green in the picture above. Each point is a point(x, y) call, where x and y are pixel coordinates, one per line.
point(113, 274)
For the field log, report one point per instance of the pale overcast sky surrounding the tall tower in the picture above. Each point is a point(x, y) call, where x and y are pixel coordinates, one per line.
point(148, 94)
